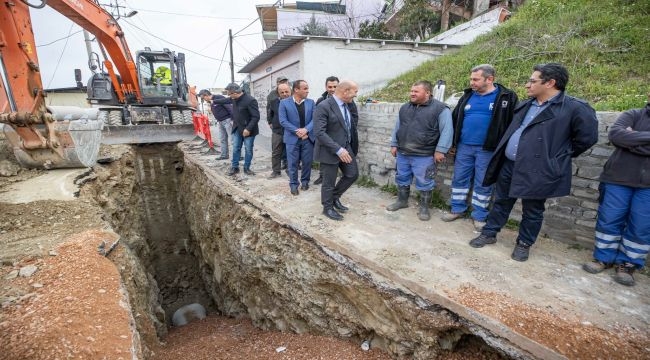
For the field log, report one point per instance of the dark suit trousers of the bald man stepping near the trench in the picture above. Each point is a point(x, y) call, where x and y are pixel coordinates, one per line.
point(331, 189)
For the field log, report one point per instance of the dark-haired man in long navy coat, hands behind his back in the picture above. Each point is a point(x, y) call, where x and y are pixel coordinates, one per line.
point(533, 159)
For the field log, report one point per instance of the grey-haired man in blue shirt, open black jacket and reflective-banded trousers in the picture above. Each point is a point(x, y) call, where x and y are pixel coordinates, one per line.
point(480, 118)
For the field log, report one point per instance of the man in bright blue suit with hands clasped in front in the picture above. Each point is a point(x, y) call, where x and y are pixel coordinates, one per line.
point(295, 117)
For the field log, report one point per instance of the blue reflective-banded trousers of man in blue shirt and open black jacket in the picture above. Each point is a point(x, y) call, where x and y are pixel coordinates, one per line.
point(471, 163)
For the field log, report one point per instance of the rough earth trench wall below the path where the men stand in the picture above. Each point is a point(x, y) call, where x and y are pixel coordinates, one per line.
point(256, 264)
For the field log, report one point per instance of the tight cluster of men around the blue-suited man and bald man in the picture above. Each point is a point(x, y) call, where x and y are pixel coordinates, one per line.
point(323, 131)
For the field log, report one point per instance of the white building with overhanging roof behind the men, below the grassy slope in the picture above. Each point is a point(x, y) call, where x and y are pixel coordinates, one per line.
point(369, 62)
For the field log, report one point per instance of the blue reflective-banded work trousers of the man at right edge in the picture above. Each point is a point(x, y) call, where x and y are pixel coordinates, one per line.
point(623, 225)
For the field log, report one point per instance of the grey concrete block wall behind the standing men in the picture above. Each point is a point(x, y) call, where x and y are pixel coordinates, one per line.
point(569, 219)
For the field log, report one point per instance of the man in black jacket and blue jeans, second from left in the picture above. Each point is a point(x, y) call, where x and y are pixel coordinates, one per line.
point(246, 115)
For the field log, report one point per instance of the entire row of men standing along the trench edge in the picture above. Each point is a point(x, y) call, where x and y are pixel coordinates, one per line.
point(518, 149)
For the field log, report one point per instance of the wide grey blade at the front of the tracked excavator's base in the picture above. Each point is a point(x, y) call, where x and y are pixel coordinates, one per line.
point(146, 133)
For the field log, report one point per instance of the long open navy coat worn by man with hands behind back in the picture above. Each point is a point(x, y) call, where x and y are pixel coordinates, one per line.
point(562, 131)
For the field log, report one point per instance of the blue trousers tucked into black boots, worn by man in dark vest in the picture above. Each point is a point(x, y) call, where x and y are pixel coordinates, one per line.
point(422, 168)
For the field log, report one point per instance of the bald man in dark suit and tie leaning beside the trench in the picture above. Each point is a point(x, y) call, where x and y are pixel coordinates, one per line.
point(334, 129)
